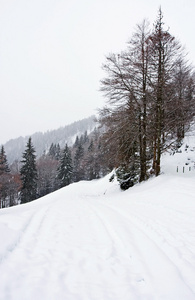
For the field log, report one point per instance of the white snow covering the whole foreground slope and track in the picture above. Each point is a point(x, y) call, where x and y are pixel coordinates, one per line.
point(91, 241)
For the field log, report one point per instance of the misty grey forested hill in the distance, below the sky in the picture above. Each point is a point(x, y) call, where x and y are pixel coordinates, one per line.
point(42, 141)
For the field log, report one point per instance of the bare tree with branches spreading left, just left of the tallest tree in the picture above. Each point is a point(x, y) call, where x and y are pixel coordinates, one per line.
point(127, 90)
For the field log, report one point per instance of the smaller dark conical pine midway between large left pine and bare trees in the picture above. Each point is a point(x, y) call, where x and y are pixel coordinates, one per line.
point(65, 168)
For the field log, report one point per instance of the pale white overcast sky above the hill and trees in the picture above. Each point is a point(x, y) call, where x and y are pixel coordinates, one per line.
point(51, 53)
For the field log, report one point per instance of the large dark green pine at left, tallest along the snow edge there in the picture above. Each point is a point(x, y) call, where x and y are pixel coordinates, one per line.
point(28, 174)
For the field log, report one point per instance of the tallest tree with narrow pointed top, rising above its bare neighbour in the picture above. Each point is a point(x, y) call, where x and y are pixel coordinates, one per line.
point(164, 55)
